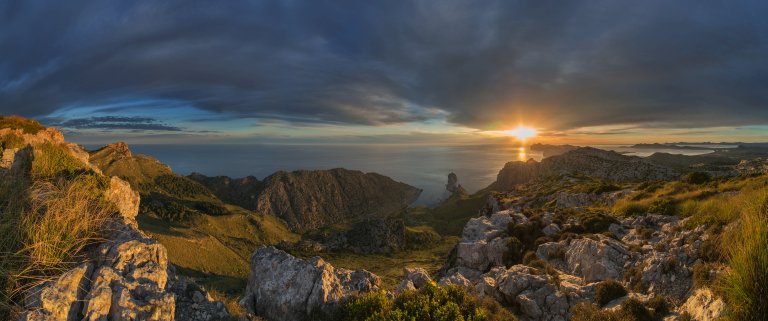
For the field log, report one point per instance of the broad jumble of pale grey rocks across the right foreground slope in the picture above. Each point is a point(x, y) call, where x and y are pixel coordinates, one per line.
point(661, 262)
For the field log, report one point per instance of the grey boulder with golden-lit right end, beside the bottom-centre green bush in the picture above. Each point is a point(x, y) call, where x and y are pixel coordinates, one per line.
point(282, 287)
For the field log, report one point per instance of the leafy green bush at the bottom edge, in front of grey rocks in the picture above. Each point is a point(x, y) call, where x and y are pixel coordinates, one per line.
point(435, 303)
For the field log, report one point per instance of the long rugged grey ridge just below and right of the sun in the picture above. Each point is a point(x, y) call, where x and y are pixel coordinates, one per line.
point(585, 161)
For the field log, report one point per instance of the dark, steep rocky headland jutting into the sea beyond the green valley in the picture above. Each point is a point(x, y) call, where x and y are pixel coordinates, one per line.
point(308, 200)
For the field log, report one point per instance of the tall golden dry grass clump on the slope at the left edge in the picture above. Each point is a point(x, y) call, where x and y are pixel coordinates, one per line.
point(46, 226)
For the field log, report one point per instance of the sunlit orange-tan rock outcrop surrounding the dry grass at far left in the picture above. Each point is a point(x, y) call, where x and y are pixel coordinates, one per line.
point(125, 277)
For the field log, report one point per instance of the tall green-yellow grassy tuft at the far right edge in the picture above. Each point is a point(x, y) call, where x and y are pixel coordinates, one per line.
point(745, 284)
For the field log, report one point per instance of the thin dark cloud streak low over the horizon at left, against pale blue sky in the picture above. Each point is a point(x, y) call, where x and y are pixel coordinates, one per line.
point(112, 122)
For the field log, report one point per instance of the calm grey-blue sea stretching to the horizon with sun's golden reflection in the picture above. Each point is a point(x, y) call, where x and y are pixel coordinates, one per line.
point(425, 167)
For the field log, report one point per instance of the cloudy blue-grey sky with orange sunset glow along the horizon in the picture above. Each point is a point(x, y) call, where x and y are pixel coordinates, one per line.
point(426, 72)
